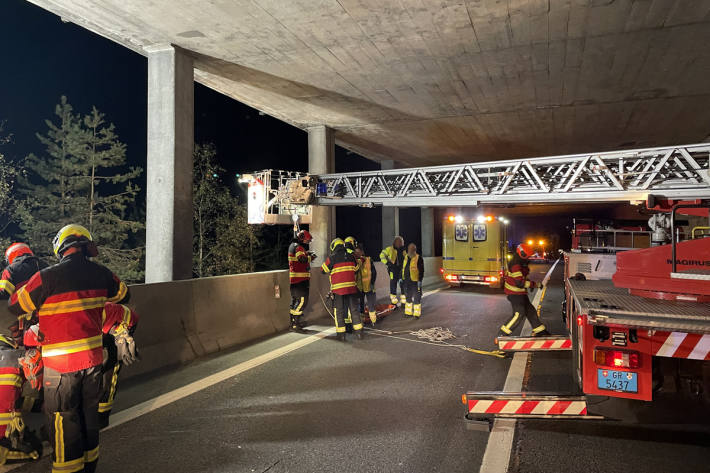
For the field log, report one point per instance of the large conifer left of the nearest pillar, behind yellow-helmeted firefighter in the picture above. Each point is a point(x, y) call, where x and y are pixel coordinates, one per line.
point(82, 180)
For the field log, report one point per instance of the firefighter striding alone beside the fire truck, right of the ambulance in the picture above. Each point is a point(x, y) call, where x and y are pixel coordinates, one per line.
point(516, 286)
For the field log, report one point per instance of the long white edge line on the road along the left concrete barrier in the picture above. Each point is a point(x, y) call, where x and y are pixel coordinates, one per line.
point(138, 410)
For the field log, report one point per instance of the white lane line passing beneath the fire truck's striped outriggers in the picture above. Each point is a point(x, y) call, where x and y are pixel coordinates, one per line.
point(496, 459)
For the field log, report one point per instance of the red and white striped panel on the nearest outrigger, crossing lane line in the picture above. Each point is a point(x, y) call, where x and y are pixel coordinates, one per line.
point(527, 407)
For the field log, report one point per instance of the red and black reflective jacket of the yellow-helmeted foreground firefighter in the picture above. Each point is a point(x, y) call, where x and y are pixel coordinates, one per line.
point(69, 298)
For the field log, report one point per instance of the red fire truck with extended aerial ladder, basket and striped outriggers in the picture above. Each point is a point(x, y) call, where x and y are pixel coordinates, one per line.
point(617, 328)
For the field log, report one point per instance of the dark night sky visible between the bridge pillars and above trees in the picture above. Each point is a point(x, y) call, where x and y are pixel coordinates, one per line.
point(45, 58)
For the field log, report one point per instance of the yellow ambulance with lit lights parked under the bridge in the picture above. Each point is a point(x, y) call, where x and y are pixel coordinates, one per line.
point(474, 250)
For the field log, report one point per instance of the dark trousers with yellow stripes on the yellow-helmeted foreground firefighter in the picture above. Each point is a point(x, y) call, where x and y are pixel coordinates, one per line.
point(71, 404)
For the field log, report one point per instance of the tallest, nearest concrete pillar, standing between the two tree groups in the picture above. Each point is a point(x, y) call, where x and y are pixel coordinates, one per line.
point(169, 174)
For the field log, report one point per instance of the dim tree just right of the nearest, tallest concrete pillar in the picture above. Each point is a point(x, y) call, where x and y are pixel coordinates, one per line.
point(223, 242)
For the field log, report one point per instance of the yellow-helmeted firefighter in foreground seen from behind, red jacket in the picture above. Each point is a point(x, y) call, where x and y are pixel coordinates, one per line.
point(69, 298)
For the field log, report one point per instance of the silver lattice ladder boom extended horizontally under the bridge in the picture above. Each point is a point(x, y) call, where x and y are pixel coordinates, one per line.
point(680, 172)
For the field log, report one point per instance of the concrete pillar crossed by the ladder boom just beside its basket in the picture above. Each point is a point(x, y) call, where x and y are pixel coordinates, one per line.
point(321, 160)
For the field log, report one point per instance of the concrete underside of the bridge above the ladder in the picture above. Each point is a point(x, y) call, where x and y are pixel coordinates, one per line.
point(425, 82)
